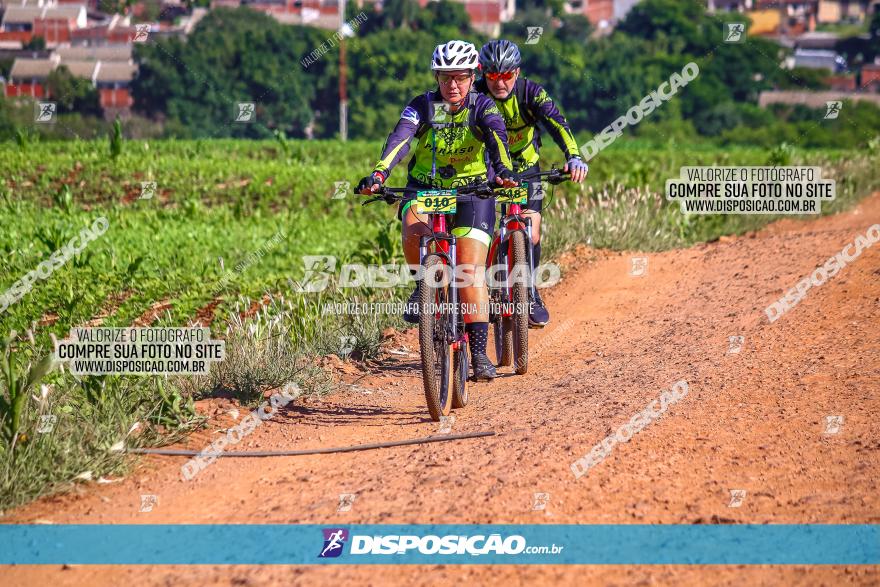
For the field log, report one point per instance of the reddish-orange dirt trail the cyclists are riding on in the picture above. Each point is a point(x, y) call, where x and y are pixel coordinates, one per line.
point(754, 421)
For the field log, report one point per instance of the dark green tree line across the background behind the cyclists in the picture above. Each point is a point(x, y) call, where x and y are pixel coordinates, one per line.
point(190, 88)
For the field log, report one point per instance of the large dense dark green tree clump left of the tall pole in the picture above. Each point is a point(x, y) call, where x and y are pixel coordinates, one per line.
point(235, 56)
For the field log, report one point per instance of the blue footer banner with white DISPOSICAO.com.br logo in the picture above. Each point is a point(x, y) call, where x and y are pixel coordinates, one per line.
point(782, 544)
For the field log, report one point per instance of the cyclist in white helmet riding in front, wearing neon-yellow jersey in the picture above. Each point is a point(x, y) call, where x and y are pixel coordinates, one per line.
point(455, 129)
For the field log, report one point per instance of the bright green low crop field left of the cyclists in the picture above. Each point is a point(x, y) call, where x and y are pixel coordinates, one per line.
point(213, 200)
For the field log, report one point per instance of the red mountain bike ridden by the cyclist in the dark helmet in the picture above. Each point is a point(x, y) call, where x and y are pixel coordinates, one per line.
point(511, 284)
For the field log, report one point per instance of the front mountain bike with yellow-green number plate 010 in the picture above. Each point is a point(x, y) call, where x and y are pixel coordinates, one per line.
point(443, 342)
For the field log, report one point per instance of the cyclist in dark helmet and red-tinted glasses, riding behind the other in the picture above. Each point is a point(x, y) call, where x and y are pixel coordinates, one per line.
point(523, 104)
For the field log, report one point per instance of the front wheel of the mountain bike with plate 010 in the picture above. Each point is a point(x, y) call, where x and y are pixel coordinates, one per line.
point(435, 349)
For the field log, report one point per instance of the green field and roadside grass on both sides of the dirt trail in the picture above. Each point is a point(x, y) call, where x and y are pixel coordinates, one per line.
point(233, 199)
